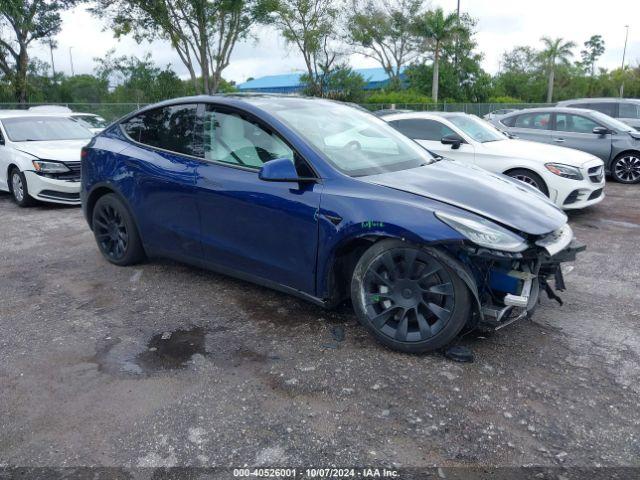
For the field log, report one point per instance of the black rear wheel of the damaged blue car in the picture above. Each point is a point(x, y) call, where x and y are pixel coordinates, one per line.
point(116, 232)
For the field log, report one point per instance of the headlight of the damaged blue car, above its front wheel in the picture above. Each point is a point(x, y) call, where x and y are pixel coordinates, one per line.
point(484, 233)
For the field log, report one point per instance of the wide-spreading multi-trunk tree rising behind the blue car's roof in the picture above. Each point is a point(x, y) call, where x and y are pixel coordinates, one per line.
point(203, 32)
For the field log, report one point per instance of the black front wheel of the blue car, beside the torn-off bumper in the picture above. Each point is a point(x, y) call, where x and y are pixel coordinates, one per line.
point(408, 297)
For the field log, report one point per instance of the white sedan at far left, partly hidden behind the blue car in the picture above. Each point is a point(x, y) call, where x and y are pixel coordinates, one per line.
point(40, 157)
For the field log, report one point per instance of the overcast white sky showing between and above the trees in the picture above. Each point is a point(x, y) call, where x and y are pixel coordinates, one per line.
point(502, 24)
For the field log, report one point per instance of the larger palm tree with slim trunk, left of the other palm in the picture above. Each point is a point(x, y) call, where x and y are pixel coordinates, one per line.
point(436, 28)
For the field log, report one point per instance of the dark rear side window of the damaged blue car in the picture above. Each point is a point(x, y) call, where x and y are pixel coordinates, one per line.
point(170, 128)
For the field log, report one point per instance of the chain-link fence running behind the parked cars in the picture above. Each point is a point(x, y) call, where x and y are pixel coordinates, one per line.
point(113, 111)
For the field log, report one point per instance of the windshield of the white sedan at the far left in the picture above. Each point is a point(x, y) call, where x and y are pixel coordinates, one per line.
point(32, 129)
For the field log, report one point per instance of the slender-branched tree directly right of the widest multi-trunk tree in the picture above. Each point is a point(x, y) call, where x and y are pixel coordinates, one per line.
point(310, 26)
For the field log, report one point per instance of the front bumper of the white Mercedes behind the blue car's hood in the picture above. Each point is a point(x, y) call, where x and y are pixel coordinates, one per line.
point(577, 194)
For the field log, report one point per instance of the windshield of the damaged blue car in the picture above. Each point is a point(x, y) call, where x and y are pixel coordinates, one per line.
point(355, 142)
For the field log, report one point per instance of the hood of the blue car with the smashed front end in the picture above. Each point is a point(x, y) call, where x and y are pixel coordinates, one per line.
point(493, 196)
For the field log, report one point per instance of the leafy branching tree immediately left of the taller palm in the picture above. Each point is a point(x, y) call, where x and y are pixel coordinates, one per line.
point(384, 31)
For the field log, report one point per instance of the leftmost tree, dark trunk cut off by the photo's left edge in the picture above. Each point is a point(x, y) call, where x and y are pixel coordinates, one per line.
point(23, 22)
